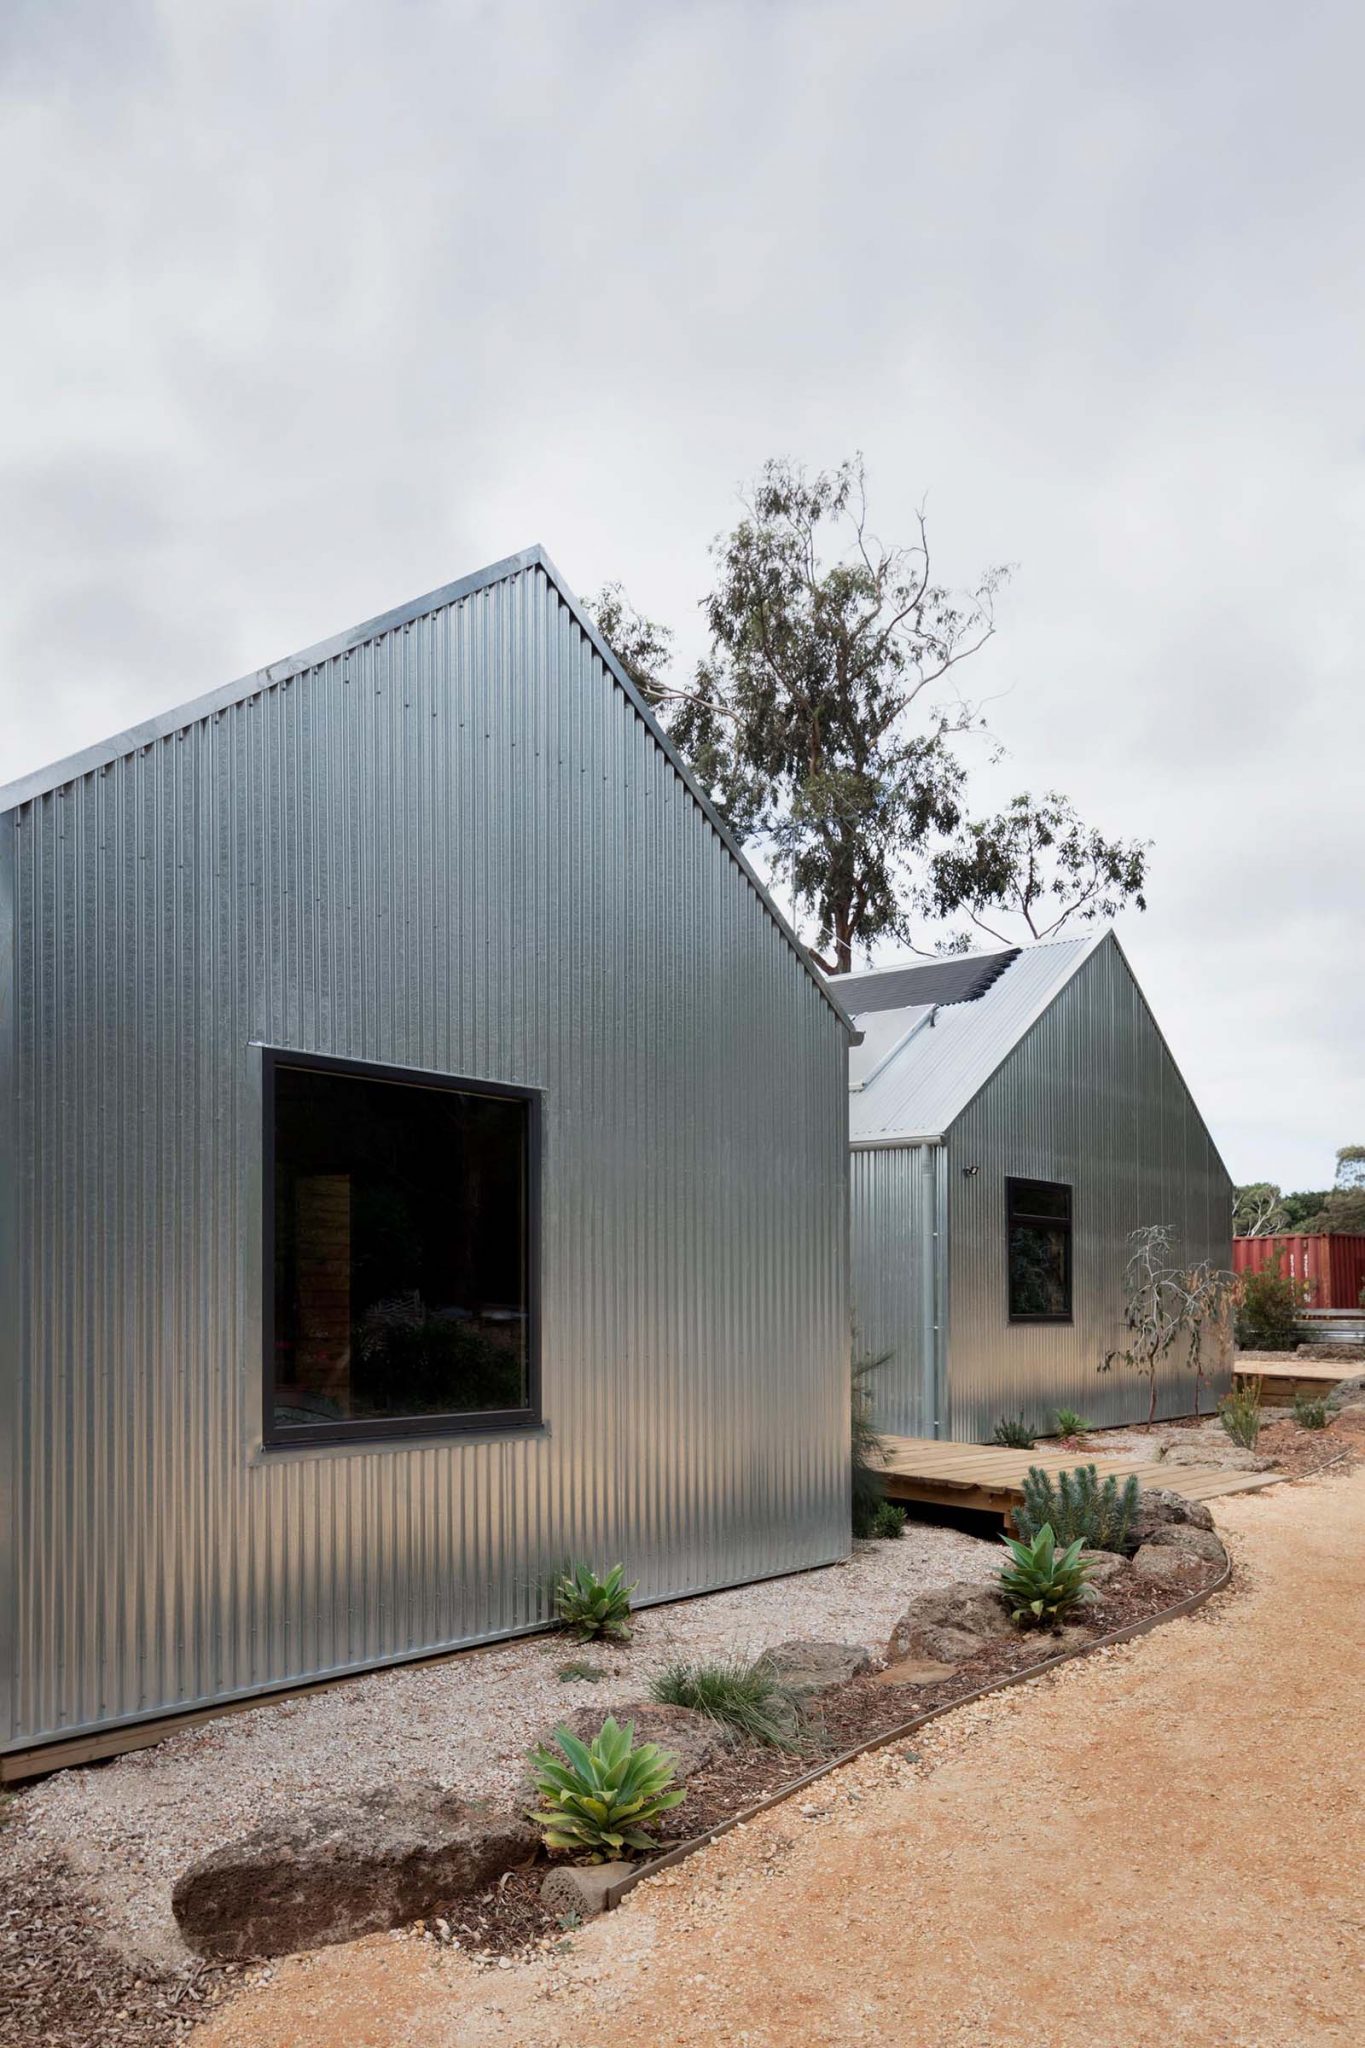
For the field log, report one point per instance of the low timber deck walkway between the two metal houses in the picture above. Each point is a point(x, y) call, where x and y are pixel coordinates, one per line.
point(992, 1480)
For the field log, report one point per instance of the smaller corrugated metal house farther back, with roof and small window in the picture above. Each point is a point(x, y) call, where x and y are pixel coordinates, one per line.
point(1012, 1119)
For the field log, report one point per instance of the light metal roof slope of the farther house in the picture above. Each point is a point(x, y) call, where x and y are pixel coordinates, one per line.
point(928, 1062)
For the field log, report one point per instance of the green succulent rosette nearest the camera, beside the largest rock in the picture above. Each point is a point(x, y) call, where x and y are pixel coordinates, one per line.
point(601, 1797)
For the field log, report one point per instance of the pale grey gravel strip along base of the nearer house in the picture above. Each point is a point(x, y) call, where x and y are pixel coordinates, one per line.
point(130, 1828)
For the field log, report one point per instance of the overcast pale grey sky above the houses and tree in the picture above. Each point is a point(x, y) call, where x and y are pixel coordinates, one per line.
point(314, 308)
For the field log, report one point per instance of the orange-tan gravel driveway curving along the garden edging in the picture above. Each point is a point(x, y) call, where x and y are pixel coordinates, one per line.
point(1159, 1846)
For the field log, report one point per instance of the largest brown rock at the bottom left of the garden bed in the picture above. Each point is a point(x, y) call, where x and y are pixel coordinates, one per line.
point(345, 1871)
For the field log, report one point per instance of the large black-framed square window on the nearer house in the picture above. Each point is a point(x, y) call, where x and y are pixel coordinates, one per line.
point(400, 1252)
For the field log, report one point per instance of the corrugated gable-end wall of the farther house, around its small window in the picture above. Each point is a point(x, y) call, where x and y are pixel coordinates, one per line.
point(1092, 1097)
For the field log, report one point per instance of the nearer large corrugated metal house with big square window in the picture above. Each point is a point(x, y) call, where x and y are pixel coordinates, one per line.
point(423, 1160)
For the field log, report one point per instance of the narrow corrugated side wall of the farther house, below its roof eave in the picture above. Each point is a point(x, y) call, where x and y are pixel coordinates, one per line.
point(899, 1271)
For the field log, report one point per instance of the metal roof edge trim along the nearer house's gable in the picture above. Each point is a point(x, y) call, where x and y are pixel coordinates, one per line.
point(89, 761)
